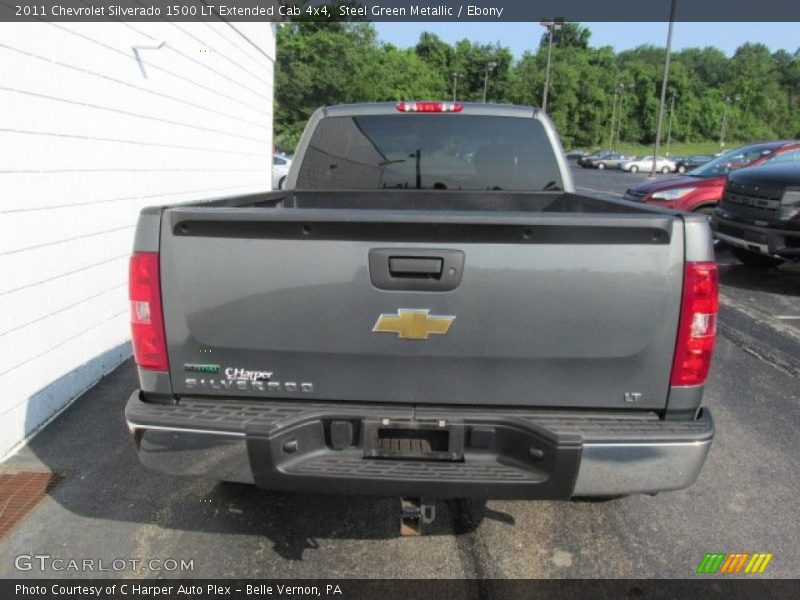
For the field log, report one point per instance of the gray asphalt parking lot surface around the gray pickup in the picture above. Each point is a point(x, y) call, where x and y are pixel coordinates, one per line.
point(108, 507)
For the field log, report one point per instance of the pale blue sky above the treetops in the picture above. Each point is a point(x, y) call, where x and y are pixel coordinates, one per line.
point(524, 36)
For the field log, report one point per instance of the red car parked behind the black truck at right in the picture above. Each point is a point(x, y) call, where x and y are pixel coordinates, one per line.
point(701, 188)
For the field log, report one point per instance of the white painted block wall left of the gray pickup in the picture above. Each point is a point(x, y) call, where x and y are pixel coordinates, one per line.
point(97, 121)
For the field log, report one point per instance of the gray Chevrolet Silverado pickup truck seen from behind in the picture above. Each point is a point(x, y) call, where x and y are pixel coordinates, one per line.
point(427, 310)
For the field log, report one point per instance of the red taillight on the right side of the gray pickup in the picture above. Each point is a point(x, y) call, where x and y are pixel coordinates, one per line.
point(697, 329)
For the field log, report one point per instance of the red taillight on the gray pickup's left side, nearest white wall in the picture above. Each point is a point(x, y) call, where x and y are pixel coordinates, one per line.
point(147, 321)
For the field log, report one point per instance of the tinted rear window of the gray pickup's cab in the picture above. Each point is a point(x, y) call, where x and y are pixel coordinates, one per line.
point(429, 151)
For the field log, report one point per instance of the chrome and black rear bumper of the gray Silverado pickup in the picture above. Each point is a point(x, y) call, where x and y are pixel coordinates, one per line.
point(507, 453)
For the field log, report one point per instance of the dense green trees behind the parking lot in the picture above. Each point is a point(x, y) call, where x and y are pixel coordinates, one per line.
point(755, 93)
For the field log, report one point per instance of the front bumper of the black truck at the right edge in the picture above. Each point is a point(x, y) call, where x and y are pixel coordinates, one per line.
point(783, 243)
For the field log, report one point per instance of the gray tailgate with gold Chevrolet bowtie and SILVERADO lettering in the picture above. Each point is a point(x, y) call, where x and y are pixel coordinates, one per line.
point(550, 310)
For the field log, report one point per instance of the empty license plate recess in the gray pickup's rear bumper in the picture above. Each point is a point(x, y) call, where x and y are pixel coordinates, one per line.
point(413, 440)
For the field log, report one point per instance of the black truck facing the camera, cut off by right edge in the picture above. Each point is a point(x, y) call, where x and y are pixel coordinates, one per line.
point(759, 215)
